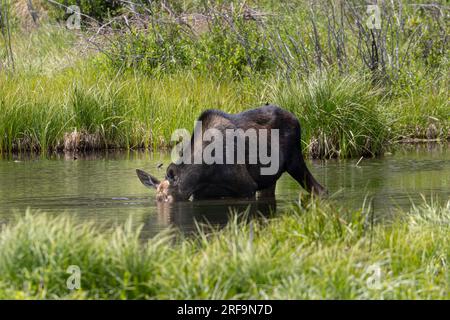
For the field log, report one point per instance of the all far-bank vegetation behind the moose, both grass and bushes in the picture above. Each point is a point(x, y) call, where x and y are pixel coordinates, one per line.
point(152, 68)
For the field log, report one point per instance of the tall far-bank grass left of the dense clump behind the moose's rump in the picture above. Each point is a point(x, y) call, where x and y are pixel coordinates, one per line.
point(121, 111)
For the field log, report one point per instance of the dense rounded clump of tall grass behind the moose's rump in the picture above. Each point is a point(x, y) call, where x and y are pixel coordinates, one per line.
point(341, 116)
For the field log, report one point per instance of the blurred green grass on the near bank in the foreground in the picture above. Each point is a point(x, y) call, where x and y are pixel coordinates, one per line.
point(314, 251)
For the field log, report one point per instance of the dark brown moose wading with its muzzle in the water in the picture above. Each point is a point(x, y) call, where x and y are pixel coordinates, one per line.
point(236, 155)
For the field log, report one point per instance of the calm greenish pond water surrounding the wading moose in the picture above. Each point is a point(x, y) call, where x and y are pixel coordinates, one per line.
point(104, 187)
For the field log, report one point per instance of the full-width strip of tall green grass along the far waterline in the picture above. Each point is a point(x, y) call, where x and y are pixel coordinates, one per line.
point(87, 108)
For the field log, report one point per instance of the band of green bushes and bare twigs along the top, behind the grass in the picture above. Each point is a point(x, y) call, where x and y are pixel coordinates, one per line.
point(295, 40)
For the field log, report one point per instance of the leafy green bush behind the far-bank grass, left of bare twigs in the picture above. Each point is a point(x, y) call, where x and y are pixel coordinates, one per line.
point(230, 46)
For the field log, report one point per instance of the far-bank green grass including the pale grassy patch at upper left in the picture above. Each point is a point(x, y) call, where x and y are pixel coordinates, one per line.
point(62, 96)
